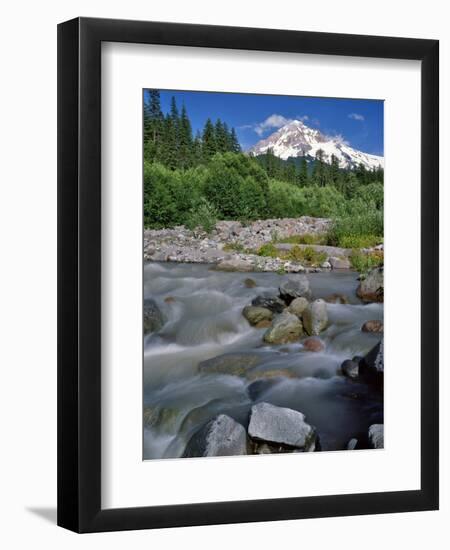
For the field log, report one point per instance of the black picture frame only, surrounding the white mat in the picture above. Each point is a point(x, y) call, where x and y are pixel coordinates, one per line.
point(79, 274)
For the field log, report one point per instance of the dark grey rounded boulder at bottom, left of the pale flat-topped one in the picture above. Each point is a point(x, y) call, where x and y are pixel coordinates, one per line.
point(221, 436)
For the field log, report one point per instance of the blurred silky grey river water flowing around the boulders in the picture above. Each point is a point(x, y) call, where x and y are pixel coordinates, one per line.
point(203, 312)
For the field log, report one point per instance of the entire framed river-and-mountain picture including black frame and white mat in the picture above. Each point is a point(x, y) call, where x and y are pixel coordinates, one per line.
point(248, 231)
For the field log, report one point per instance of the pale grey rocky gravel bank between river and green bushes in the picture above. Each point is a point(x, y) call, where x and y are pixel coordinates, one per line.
point(231, 246)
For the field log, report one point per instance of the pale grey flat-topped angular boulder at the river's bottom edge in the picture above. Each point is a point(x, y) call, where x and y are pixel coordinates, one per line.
point(280, 426)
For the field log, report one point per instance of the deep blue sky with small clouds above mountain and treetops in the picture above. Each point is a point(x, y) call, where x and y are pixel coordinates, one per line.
point(358, 121)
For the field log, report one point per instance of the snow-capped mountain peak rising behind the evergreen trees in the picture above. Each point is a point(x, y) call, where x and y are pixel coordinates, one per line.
point(296, 139)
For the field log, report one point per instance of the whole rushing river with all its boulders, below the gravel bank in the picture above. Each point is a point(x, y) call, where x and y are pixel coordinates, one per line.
point(262, 362)
